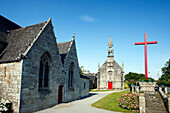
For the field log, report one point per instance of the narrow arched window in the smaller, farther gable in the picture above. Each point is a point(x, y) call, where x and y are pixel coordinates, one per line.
point(71, 72)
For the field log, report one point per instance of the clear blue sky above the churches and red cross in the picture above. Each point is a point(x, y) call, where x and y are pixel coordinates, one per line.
point(93, 21)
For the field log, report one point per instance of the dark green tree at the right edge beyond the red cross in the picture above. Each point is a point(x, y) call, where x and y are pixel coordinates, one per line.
point(165, 78)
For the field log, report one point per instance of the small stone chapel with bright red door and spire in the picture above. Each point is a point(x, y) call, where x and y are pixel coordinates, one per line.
point(110, 74)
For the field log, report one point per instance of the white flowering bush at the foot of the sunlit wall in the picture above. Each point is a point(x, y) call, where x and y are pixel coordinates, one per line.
point(5, 106)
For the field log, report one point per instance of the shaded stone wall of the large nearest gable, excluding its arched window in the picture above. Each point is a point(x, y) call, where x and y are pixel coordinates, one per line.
point(31, 98)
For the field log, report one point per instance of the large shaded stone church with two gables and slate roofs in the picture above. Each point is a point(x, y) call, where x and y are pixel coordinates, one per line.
point(36, 72)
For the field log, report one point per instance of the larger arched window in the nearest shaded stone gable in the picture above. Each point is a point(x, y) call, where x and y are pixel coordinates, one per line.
point(44, 71)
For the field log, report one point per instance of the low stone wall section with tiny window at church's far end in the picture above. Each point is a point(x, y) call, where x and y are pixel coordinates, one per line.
point(84, 87)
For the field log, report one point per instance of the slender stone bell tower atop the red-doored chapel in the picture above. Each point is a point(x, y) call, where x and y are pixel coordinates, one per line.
point(110, 51)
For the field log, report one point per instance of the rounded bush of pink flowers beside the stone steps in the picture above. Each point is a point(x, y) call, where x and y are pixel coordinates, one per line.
point(129, 101)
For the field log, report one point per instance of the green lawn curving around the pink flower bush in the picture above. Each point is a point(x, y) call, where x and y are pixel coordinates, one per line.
point(110, 102)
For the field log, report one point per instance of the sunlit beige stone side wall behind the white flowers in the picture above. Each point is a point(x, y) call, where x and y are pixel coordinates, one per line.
point(10, 83)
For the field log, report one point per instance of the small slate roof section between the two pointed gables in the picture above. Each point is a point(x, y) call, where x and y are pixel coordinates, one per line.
point(63, 49)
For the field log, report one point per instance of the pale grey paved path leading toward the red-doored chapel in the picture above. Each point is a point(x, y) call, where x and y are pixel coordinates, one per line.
point(80, 106)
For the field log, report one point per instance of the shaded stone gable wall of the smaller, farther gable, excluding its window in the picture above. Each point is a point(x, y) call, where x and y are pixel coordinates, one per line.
point(72, 93)
